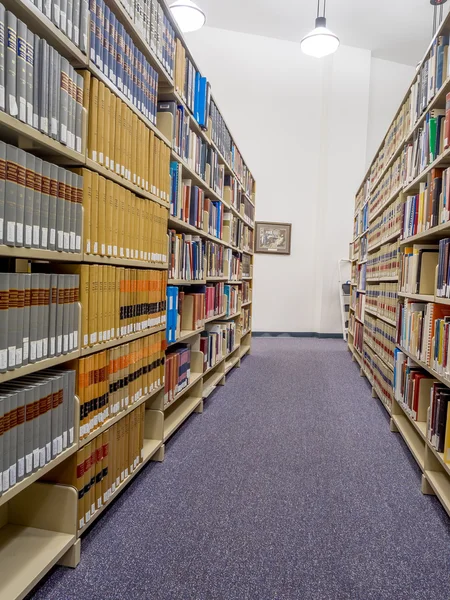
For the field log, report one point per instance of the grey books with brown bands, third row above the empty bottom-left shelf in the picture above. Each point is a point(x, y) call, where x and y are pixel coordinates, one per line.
point(40, 203)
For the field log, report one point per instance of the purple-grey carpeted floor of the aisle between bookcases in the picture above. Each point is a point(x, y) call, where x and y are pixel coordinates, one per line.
point(289, 486)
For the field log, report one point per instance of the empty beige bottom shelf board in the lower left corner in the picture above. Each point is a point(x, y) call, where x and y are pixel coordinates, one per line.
point(26, 555)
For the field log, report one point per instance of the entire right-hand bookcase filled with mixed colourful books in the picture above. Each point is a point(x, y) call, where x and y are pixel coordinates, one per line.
point(400, 294)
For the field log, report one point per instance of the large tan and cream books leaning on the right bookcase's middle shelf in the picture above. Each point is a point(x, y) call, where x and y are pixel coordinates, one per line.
point(418, 268)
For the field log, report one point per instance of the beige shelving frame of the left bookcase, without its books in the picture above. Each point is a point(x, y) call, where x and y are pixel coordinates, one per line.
point(34, 536)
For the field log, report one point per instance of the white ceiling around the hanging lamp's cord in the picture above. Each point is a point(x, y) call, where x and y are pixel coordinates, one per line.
point(397, 30)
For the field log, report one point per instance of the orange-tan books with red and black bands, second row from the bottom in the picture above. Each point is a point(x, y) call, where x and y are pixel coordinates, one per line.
point(111, 381)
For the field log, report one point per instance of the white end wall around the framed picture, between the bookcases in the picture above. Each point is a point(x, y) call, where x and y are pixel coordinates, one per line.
point(301, 125)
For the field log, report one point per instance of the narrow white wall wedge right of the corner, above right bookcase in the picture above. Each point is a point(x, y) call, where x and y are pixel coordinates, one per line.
point(388, 84)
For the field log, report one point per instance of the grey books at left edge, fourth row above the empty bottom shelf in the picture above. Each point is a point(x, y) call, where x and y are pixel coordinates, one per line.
point(40, 87)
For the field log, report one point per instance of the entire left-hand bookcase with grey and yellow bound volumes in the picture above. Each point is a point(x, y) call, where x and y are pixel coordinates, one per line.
point(115, 195)
